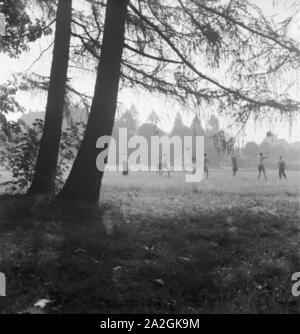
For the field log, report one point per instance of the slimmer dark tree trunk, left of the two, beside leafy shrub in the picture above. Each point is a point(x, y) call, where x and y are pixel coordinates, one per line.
point(45, 170)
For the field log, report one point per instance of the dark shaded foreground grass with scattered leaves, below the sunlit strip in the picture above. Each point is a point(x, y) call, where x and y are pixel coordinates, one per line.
point(96, 261)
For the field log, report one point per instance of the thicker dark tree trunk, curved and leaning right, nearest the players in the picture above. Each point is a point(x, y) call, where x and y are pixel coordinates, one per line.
point(84, 181)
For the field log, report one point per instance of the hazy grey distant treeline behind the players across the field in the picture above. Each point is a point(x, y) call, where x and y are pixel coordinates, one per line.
point(218, 150)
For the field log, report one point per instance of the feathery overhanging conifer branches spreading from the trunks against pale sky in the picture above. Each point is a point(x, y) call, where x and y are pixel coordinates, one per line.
point(202, 52)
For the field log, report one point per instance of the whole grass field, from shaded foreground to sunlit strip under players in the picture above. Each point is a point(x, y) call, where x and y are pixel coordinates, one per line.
point(159, 245)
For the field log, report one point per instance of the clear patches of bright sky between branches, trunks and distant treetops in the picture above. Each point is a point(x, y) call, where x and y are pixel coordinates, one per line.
point(143, 101)
